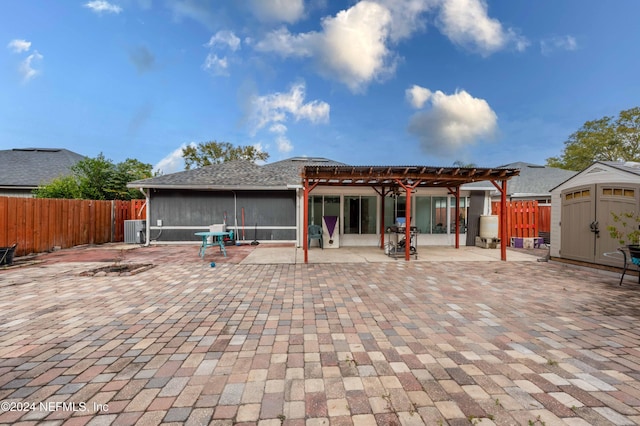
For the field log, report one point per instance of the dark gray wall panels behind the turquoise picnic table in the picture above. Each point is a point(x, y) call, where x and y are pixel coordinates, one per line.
point(273, 212)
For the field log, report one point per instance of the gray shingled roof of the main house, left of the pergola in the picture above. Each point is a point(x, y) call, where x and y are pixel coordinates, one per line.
point(238, 174)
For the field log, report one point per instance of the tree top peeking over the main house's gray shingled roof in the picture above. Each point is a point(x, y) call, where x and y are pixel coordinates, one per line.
point(208, 153)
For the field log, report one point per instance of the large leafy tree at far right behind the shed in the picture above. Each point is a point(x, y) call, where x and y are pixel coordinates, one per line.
point(605, 139)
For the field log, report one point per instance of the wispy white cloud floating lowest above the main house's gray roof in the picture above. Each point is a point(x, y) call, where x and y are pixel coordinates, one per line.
point(278, 107)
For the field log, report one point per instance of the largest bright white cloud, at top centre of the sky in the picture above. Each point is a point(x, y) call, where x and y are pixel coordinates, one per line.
point(352, 47)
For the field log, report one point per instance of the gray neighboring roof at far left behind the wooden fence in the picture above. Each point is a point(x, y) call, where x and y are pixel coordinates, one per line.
point(27, 168)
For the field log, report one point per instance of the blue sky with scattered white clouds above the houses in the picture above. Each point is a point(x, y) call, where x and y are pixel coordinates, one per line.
point(380, 82)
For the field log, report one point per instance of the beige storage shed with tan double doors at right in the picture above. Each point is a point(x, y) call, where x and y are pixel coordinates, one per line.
point(582, 210)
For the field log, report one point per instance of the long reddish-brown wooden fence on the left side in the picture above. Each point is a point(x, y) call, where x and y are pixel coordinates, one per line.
point(40, 224)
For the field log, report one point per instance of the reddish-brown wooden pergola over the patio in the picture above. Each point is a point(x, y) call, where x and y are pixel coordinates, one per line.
point(384, 179)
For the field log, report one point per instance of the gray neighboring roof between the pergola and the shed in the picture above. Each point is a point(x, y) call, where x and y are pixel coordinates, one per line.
point(533, 181)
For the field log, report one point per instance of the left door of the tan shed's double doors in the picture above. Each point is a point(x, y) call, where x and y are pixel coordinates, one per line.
point(578, 215)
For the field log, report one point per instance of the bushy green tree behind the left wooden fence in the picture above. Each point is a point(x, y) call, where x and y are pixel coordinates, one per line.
point(97, 179)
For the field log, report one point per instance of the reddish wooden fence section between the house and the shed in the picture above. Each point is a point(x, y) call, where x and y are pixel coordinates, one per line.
point(525, 218)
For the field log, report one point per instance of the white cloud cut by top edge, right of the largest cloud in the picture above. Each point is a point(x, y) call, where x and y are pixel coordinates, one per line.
point(467, 24)
